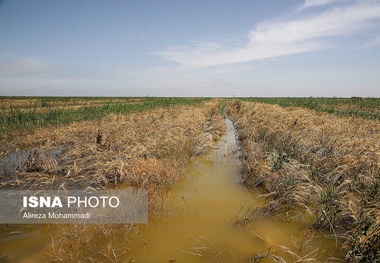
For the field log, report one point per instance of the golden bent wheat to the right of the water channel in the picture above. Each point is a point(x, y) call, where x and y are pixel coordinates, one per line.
point(325, 165)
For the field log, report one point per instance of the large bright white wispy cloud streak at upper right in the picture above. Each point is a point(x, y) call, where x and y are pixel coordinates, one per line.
point(279, 38)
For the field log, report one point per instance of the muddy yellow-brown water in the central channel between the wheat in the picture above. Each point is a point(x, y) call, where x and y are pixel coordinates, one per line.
point(199, 220)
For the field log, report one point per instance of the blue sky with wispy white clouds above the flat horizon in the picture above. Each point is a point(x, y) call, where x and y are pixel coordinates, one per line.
point(190, 48)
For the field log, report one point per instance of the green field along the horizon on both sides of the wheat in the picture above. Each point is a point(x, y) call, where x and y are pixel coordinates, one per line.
point(24, 113)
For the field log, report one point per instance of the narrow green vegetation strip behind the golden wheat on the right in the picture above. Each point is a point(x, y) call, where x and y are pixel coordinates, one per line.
point(368, 108)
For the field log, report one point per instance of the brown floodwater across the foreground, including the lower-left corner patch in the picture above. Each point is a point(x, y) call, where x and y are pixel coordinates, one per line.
point(198, 222)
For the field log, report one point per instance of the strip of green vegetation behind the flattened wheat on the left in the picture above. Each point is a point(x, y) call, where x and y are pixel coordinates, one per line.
point(16, 118)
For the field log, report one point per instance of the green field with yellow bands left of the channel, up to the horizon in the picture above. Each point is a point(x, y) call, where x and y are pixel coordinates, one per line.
point(25, 113)
